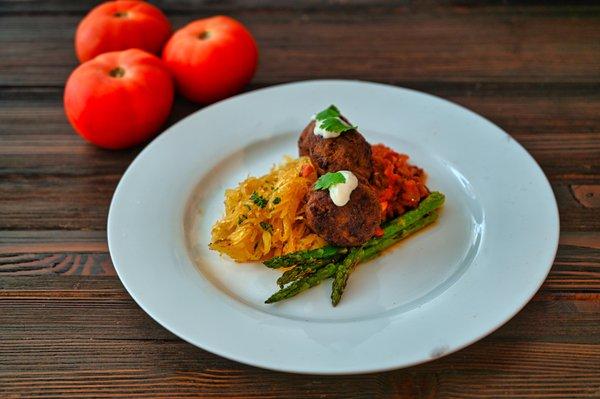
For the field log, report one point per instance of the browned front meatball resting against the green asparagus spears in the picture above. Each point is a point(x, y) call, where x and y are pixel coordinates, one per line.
point(349, 225)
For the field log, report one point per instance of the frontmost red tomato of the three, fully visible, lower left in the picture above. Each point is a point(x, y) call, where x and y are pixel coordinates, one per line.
point(119, 99)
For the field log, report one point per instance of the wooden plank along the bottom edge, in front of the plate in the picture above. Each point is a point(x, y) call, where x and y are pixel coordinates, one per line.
point(78, 368)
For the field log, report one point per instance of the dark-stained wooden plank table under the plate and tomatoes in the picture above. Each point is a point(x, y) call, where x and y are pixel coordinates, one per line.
point(69, 329)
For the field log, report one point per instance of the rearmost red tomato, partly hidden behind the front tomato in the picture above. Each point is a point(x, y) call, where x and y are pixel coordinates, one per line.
point(120, 25)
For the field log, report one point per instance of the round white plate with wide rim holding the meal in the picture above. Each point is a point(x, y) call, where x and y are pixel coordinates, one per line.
point(434, 294)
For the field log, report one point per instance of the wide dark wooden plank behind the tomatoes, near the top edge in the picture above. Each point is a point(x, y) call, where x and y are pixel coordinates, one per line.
point(457, 45)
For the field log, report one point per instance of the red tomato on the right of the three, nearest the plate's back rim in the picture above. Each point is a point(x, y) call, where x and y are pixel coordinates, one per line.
point(211, 58)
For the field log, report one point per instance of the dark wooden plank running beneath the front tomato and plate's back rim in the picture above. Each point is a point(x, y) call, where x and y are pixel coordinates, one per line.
point(536, 108)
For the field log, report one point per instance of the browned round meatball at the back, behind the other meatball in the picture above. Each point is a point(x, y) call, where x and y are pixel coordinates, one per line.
point(350, 151)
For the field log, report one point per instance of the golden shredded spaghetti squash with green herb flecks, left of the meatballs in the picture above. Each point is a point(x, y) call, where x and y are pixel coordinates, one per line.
point(264, 216)
